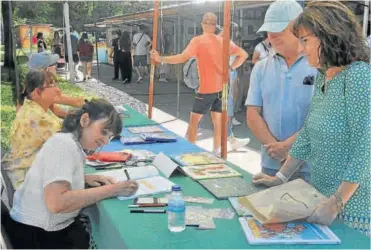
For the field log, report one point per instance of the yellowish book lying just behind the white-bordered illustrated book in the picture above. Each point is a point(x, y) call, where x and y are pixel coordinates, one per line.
point(198, 158)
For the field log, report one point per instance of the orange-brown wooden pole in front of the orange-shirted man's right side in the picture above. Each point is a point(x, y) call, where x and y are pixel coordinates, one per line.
point(226, 41)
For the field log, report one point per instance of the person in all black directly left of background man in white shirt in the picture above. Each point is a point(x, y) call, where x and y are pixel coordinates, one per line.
point(124, 57)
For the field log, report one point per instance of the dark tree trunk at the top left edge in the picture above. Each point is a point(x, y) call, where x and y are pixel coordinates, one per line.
point(8, 41)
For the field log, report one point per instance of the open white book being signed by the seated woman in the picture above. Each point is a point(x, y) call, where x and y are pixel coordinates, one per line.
point(148, 177)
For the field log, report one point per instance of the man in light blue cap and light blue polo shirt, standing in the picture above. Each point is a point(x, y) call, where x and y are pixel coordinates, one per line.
point(281, 89)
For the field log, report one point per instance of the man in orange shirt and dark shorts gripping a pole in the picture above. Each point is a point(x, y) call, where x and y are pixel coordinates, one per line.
point(207, 49)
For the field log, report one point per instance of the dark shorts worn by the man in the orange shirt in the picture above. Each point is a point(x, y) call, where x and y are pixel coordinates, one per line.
point(206, 102)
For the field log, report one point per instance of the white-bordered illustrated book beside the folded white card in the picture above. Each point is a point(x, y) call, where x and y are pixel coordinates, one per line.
point(210, 171)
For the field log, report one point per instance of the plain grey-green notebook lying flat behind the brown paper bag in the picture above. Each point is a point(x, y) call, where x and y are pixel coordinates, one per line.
point(224, 188)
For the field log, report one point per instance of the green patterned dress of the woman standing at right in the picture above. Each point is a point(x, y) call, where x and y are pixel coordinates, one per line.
point(336, 140)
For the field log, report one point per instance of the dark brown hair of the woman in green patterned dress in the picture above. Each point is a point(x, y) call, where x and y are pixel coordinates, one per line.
point(338, 30)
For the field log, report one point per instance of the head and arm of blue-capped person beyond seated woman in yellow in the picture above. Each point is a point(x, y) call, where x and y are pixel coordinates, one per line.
point(48, 62)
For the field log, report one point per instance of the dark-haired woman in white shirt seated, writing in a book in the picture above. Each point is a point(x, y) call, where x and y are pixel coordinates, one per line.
point(45, 212)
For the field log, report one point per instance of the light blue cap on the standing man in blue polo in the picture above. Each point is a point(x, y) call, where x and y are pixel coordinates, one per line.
point(280, 14)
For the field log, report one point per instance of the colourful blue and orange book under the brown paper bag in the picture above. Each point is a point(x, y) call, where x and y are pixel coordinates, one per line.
point(286, 233)
